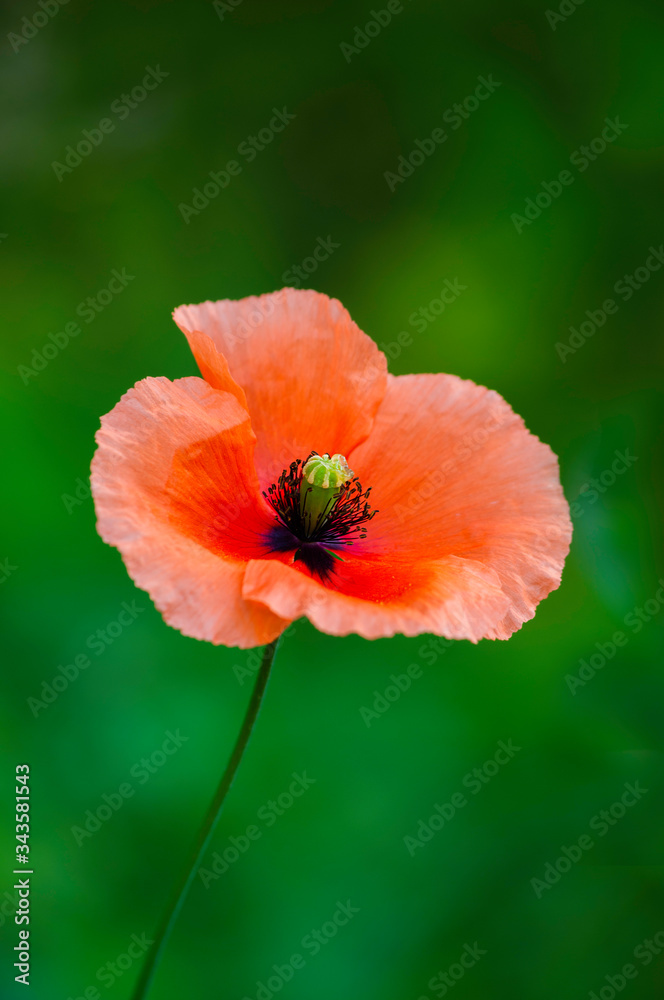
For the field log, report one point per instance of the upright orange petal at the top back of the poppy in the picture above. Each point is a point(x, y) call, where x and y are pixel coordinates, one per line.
point(312, 379)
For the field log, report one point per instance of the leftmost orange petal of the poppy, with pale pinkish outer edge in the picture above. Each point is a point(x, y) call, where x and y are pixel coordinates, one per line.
point(175, 491)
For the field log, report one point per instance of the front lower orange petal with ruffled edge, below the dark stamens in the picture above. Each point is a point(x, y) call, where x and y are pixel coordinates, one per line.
point(379, 597)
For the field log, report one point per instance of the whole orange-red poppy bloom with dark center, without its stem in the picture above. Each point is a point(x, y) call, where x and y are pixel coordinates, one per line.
point(199, 483)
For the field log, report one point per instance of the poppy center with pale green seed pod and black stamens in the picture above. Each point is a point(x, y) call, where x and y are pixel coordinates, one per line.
point(319, 507)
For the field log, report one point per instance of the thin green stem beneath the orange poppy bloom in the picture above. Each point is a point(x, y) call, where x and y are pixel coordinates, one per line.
point(207, 829)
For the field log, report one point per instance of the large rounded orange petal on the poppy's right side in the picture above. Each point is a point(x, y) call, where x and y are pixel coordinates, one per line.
point(455, 472)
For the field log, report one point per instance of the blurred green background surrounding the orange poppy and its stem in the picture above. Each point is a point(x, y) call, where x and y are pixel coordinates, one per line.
point(323, 177)
